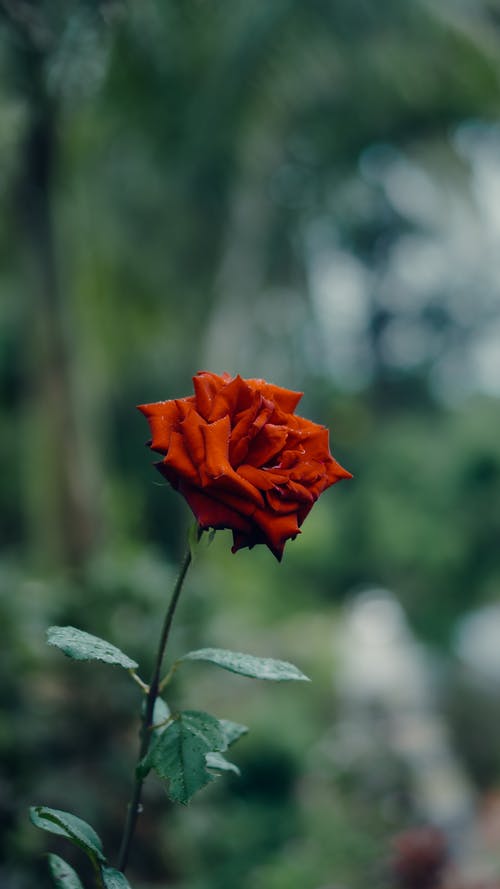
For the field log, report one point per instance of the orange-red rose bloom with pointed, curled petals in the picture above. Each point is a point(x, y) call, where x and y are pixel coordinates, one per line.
point(242, 459)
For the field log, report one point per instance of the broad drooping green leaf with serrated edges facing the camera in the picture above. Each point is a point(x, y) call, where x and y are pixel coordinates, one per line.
point(178, 754)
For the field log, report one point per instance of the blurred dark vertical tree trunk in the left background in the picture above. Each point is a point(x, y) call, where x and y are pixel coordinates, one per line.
point(60, 508)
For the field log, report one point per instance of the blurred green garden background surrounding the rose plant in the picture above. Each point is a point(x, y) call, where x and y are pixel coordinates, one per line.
point(309, 193)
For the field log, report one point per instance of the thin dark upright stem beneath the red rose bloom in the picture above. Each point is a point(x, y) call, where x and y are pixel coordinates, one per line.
point(147, 719)
